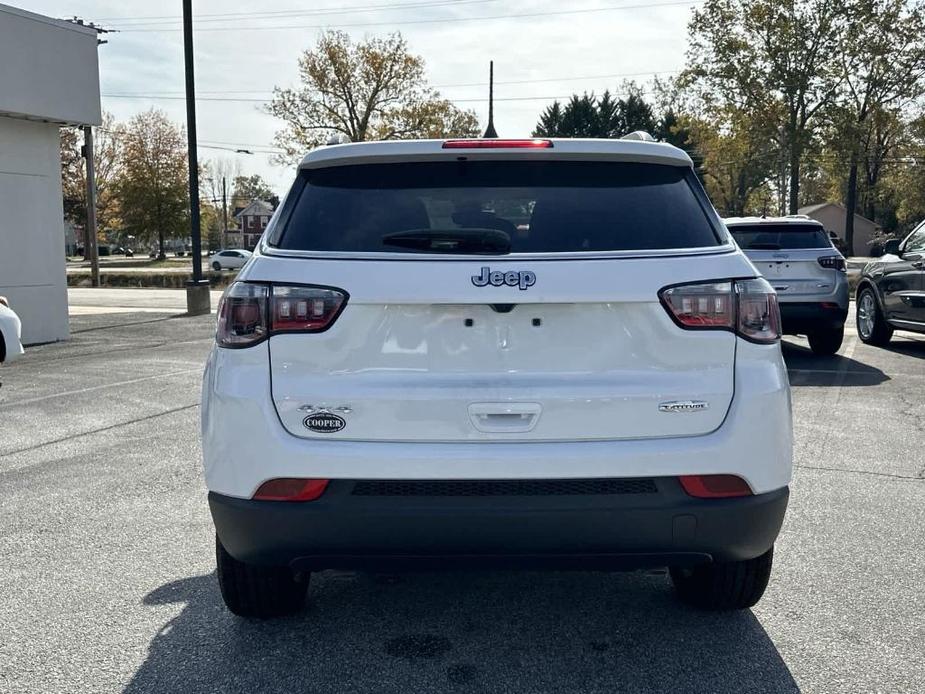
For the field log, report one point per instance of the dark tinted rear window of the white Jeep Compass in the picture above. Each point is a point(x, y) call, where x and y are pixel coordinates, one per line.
point(496, 207)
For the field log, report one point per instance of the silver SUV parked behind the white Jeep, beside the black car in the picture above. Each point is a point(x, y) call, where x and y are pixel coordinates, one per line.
point(795, 254)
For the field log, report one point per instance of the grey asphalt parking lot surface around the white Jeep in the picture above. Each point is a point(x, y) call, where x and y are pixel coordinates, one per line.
point(107, 571)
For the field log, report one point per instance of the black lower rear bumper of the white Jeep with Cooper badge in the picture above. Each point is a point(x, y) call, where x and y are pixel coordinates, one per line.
point(614, 530)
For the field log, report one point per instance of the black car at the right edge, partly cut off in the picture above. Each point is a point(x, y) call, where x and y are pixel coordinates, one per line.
point(891, 291)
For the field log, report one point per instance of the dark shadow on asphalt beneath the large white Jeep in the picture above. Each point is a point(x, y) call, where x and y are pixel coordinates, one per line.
point(462, 632)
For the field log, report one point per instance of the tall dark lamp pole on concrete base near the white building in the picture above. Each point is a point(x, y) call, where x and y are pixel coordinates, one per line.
point(198, 299)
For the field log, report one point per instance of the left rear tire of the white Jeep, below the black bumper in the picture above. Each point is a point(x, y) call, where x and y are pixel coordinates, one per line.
point(256, 591)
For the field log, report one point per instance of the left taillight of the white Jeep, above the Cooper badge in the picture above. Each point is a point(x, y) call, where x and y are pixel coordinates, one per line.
point(249, 313)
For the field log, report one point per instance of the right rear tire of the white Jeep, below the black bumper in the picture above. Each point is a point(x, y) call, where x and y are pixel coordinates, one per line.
point(734, 585)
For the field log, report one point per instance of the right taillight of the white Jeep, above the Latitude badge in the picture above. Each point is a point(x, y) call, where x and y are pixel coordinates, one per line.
point(747, 307)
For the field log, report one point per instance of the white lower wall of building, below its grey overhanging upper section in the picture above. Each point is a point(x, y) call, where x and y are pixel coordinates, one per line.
point(32, 274)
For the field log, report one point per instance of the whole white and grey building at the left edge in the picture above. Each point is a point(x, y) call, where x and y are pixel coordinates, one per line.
point(49, 76)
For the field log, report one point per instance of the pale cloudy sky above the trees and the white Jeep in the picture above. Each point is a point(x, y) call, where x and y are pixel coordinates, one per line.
point(543, 49)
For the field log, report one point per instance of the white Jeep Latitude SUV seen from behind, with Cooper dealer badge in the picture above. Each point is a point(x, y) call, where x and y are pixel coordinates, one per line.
point(496, 352)
